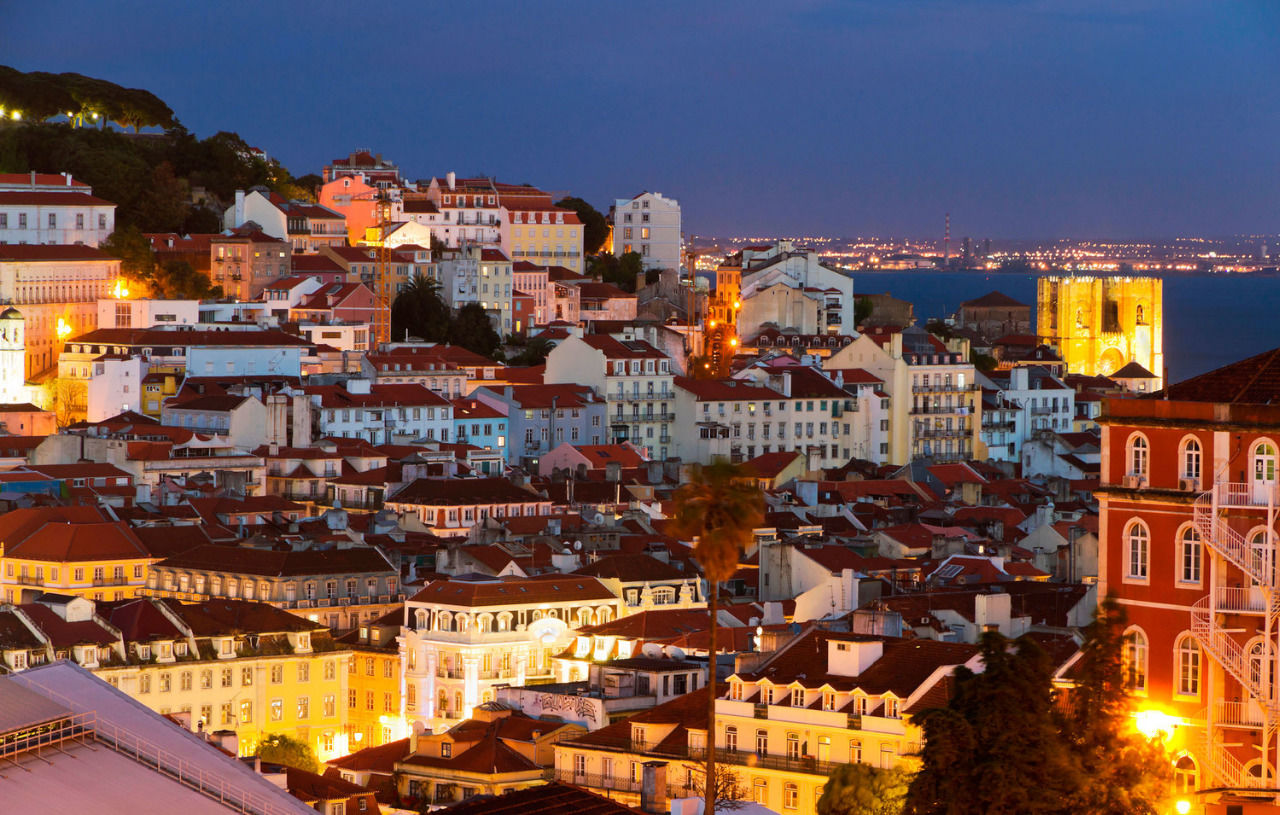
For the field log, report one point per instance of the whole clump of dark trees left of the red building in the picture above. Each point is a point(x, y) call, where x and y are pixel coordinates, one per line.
point(1005, 745)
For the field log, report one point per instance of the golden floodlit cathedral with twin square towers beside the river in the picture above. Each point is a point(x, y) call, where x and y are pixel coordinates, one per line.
point(1101, 324)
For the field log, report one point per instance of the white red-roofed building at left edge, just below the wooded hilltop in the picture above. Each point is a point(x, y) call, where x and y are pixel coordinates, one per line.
point(38, 208)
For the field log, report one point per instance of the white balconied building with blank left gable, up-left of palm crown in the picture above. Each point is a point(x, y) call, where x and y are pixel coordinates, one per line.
point(636, 379)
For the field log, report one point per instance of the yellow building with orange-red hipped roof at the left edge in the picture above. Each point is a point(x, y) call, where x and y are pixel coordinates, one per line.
point(71, 551)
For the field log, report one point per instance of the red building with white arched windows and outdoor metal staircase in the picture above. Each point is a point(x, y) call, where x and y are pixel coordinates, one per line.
point(1188, 520)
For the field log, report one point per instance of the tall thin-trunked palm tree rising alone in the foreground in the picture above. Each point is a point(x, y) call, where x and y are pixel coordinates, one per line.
point(721, 507)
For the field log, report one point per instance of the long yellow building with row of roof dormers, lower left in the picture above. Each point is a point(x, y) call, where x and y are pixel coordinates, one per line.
point(222, 665)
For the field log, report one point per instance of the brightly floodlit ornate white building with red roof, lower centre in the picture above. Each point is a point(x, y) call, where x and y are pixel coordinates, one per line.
point(465, 637)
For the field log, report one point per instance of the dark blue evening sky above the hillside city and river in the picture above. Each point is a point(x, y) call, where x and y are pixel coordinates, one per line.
point(1023, 118)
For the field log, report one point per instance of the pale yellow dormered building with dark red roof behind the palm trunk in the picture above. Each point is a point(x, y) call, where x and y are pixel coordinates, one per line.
point(789, 717)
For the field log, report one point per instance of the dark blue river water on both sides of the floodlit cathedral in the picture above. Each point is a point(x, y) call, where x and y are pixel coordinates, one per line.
point(1210, 320)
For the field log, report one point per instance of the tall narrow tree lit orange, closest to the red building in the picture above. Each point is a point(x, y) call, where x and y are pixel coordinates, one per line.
point(1128, 773)
